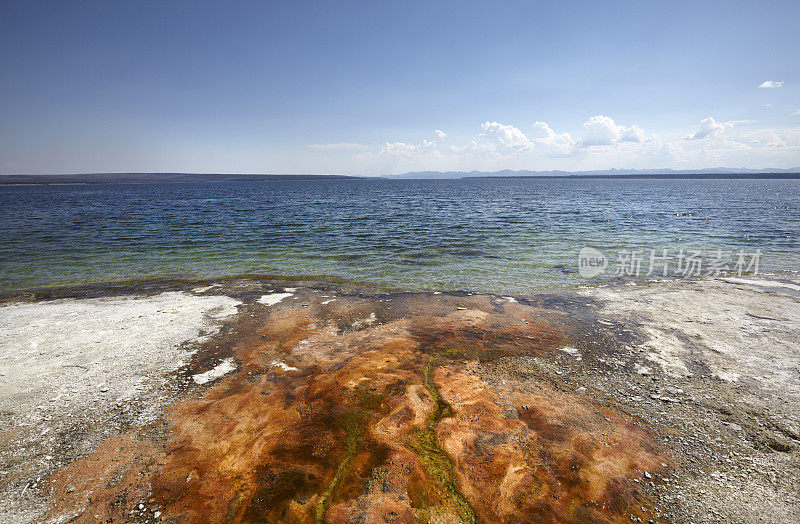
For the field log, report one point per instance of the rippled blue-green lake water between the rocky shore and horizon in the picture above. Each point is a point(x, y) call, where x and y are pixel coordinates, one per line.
point(495, 235)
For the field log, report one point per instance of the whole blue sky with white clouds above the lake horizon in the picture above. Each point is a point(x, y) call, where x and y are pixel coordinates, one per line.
point(380, 87)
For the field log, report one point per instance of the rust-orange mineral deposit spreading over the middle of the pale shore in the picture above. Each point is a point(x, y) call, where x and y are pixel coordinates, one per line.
point(377, 410)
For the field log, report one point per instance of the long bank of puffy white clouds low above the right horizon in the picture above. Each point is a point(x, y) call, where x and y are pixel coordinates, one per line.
point(603, 143)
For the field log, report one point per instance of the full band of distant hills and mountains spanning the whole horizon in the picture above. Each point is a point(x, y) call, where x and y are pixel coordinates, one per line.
point(150, 178)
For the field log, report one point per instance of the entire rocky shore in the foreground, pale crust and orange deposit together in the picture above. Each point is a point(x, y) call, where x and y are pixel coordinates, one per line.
point(698, 379)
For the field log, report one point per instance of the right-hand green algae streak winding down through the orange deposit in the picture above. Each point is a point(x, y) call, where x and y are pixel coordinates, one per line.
point(436, 462)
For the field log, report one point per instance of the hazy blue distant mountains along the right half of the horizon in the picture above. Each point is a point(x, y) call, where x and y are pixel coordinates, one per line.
point(717, 172)
